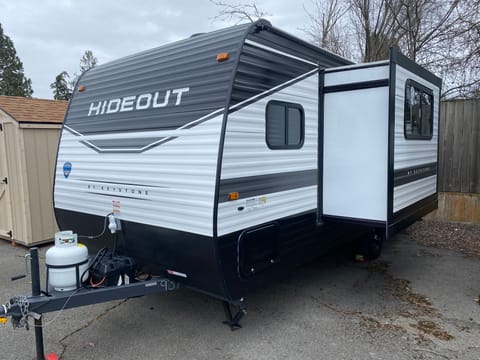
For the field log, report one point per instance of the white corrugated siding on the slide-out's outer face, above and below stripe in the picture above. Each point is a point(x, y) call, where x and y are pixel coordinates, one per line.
point(408, 153)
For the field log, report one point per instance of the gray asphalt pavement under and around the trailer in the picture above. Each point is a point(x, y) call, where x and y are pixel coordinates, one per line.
point(414, 302)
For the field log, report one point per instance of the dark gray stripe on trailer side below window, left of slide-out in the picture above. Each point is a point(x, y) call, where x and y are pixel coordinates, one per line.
point(249, 186)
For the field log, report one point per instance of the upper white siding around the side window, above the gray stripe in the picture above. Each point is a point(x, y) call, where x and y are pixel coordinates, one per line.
point(245, 150)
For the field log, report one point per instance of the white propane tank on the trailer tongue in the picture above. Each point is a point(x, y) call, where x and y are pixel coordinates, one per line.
point(66, 261)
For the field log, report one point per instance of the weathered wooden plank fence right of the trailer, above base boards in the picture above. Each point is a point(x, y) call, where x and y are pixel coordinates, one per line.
point(459, 163)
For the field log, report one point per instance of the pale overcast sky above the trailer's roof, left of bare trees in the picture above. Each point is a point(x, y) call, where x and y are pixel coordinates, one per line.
point(51, 35)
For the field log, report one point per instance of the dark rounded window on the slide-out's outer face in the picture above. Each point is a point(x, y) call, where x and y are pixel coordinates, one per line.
point(418, 120)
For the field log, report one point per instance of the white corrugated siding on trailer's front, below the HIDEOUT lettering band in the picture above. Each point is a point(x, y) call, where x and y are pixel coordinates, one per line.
point(179, 177)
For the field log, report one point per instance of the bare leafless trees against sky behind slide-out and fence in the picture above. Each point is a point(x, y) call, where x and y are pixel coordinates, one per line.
point(442, 35)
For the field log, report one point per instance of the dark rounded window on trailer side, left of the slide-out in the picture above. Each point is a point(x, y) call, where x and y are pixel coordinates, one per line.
point(284, 125)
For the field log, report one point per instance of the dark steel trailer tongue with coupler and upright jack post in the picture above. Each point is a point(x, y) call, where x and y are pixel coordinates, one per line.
point(20, 308)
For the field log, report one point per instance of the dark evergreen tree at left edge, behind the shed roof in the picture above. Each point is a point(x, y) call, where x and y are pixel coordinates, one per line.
point(12, 79)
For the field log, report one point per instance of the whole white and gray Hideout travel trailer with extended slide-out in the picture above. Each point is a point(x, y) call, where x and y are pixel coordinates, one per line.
point(232, 156)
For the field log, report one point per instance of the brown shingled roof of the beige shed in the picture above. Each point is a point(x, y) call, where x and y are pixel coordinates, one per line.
point(30, 110)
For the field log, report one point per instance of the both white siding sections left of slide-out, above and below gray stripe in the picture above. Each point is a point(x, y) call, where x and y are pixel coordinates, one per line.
point(246, 153)
